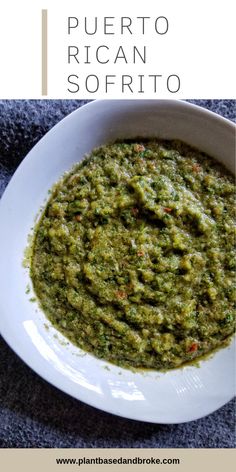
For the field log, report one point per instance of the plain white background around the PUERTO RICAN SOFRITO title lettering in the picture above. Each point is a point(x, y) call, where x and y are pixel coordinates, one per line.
point(199, 47)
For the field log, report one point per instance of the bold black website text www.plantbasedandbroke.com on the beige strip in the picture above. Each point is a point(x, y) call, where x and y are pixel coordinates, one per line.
point(117, 460)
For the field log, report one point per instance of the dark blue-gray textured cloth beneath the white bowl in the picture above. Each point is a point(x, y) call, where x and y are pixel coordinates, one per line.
point(34, 413)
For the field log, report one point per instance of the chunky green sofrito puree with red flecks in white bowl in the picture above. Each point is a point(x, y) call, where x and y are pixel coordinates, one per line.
point(133, 258)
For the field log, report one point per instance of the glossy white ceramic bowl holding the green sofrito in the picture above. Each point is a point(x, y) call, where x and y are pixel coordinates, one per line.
point(173, 397)
